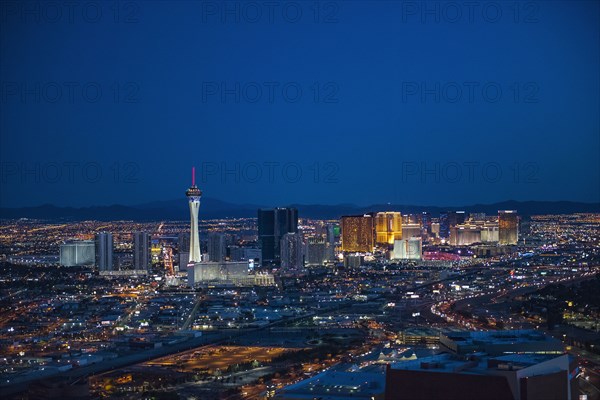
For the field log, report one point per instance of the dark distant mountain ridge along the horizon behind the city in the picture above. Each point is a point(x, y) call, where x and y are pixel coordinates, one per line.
point(211, 208)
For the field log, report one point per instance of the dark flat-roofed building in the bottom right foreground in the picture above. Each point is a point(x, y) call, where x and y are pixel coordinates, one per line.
point(476, 377)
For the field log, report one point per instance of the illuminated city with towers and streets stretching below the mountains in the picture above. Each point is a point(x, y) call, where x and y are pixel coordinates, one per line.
point(336, 310)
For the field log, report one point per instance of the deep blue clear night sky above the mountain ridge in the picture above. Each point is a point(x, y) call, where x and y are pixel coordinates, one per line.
point(331, 102)
